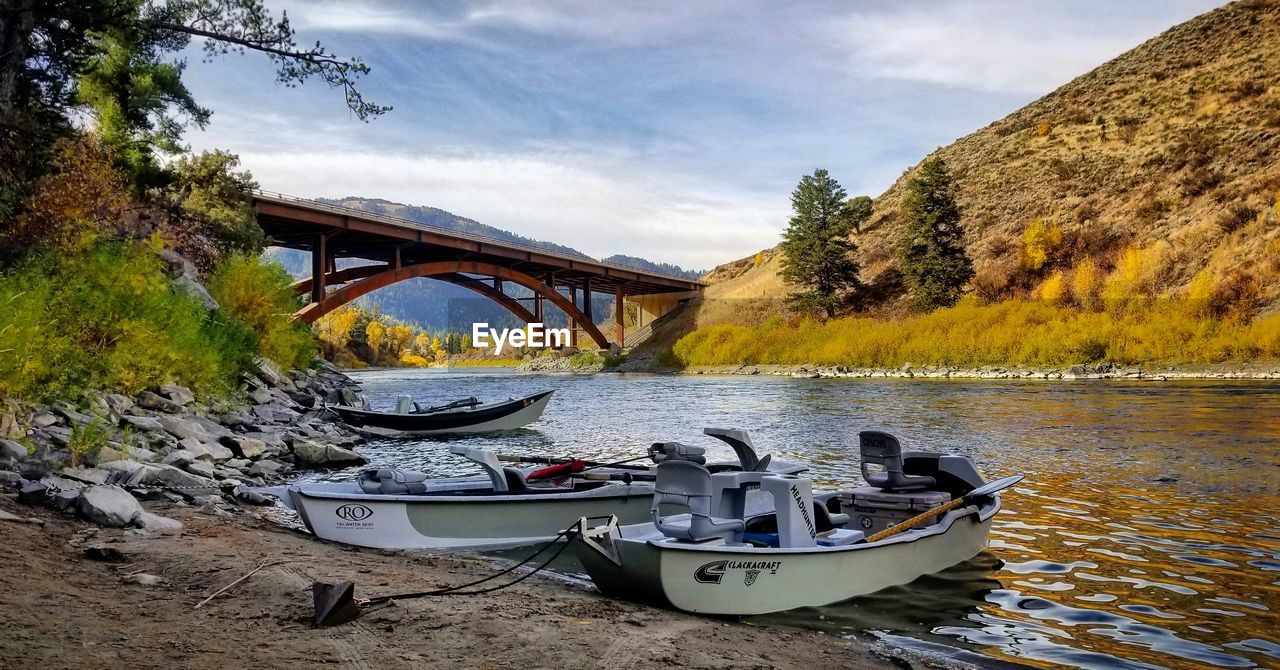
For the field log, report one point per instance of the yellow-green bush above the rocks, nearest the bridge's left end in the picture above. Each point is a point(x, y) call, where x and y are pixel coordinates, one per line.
point(257, 294)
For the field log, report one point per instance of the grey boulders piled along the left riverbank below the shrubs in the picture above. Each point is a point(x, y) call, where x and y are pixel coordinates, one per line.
point(99, 461)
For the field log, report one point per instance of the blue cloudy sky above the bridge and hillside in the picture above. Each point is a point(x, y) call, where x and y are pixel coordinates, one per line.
point(674, 131)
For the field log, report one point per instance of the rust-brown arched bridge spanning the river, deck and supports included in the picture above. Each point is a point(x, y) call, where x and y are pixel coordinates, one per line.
point(401, 249)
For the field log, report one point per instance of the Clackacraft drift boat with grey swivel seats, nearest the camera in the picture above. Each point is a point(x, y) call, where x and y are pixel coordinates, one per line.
point(762, 543)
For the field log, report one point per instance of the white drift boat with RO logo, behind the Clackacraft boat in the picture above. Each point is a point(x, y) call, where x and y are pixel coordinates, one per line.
point(505, 508)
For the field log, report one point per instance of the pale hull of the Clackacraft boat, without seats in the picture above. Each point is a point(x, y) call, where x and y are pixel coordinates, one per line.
point(748, 581)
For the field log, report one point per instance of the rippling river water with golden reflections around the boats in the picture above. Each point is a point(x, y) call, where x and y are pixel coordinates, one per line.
point(1146, 535)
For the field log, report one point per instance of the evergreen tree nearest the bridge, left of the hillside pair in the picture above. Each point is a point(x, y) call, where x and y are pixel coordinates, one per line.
point(817, 252)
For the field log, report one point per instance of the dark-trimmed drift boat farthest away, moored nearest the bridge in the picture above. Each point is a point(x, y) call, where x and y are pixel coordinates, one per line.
point(467, 416)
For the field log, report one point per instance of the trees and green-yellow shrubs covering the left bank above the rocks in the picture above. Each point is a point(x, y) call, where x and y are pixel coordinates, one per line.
point(109, 230)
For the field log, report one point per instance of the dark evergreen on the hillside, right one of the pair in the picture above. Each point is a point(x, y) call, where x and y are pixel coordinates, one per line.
point(932, 252)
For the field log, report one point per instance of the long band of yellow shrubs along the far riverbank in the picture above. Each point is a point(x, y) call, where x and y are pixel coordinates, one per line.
point(973, 335)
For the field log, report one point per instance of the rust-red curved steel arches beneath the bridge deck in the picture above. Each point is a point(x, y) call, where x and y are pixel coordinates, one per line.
point(368, 279)
